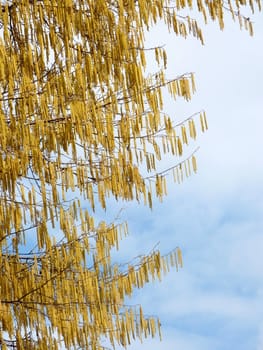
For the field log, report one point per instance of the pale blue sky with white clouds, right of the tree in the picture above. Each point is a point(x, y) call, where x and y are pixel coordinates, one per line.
point(216, 217)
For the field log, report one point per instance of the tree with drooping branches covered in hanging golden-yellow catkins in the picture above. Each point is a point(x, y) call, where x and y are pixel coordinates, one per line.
point(81, 122)
